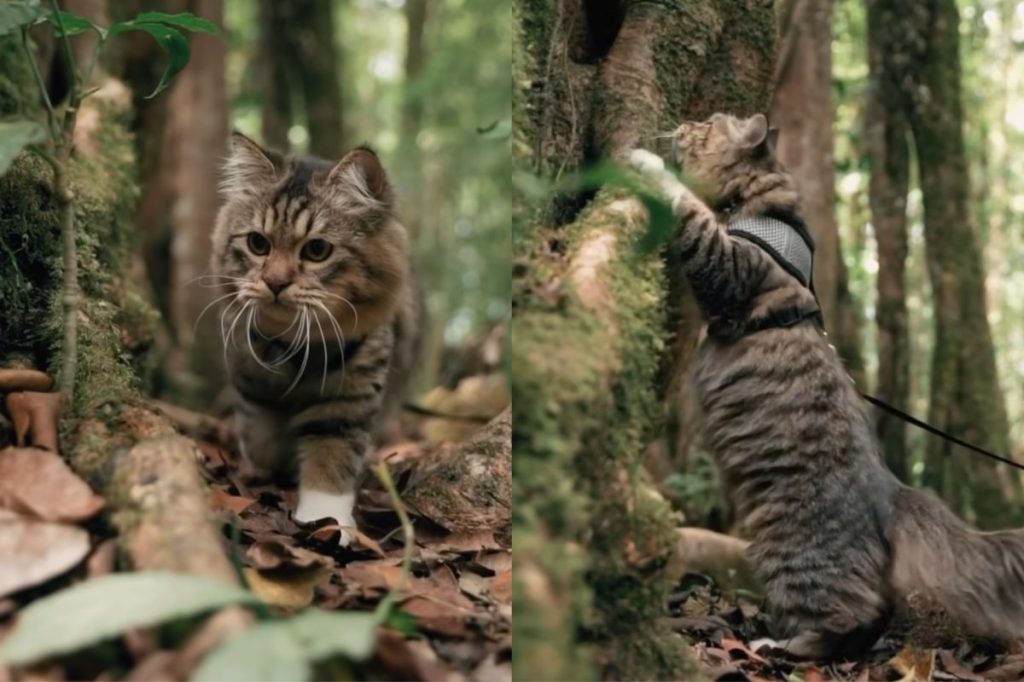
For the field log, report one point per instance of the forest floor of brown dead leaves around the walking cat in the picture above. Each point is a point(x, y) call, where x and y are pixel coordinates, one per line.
point(454, 609)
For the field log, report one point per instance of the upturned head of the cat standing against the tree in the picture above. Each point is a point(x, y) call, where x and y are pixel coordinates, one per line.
point(715, 151)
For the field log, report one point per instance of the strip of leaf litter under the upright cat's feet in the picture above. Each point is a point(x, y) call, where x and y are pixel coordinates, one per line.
point(730, 638)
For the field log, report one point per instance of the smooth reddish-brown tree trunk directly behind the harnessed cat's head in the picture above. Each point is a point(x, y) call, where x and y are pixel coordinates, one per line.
point(803, 111)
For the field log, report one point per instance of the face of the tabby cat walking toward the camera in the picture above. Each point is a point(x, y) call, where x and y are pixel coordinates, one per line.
point(307, 244)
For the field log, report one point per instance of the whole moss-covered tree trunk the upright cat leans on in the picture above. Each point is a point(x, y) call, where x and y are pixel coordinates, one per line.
point(594, 544)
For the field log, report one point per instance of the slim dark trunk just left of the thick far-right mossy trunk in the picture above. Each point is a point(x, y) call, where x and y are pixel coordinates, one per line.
point(887, 143)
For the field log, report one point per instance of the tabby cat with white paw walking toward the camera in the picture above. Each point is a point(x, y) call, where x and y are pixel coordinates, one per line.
point(321, 318)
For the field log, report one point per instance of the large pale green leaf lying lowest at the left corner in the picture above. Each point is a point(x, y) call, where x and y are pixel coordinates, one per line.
point(104, 608)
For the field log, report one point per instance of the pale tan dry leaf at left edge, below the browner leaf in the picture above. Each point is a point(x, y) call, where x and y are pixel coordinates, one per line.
point(35, 551)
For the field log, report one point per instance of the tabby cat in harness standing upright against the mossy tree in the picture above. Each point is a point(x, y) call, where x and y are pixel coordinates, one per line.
point(838, 542)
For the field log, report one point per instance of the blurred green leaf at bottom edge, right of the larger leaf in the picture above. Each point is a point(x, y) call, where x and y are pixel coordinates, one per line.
point(285, 650)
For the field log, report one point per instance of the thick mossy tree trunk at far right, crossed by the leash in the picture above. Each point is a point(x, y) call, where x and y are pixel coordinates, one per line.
point(923, 41)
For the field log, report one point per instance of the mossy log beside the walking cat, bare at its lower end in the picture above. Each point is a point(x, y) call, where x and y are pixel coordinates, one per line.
point(129, 453)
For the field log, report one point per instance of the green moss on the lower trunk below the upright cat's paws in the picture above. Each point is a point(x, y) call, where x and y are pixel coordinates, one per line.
point(583, 389)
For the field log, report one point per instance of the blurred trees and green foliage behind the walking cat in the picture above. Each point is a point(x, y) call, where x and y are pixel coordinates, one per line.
point(425, 82)
